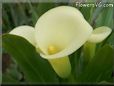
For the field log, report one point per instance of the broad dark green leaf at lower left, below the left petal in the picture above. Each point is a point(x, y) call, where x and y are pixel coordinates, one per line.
point(35, 68)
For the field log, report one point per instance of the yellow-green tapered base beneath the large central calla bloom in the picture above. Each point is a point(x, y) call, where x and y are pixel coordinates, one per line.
point(61, 66)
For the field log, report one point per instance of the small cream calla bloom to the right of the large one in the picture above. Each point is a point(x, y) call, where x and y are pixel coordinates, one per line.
point(100, 34)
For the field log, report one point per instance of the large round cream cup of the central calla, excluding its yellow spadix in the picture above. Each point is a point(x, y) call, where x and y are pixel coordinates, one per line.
point(63, 27)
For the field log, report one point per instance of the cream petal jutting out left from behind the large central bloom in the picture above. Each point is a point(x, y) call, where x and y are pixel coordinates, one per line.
point(26, 32)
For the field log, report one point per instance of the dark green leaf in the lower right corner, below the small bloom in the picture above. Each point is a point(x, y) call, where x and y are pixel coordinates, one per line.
point(100, 67)
